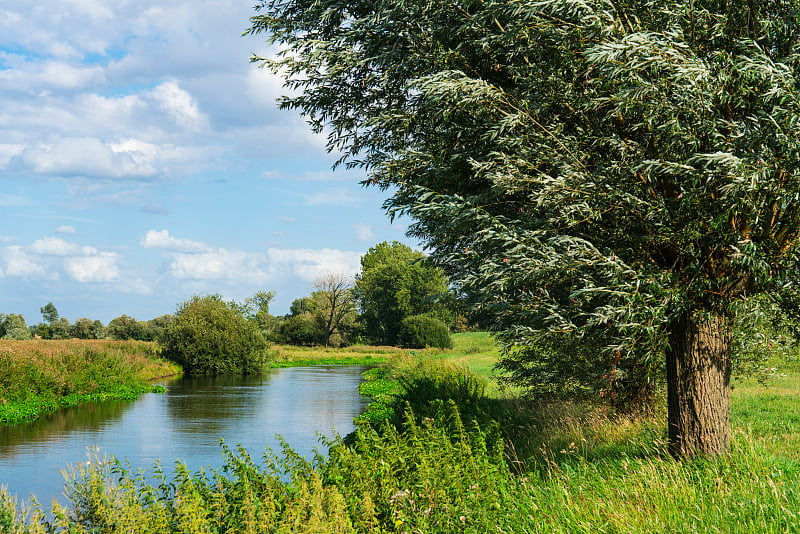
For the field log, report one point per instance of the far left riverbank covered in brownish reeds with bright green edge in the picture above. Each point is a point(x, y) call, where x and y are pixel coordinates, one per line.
point(38, 376)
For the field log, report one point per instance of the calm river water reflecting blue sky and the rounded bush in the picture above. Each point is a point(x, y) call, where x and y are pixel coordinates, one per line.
point(184, 423)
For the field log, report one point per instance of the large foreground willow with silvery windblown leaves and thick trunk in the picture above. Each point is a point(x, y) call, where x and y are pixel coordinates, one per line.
point(618, 170)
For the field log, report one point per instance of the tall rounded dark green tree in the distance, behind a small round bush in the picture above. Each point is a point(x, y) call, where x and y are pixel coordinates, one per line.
point(396, 282)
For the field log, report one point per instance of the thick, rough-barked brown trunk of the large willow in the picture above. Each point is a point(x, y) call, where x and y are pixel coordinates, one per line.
point(698, 385)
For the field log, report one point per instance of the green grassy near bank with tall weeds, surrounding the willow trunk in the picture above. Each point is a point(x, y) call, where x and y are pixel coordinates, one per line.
point(484, 461)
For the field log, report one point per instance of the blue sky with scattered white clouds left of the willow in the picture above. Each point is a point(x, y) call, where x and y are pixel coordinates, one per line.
point(143, 159)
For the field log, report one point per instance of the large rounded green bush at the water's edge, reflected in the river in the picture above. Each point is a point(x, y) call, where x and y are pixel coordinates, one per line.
point(209, 337)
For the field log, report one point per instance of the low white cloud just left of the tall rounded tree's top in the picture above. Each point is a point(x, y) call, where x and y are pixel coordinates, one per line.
point(311, 264)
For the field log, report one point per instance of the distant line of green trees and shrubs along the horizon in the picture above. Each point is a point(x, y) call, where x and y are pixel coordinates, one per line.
point(395, 297)
